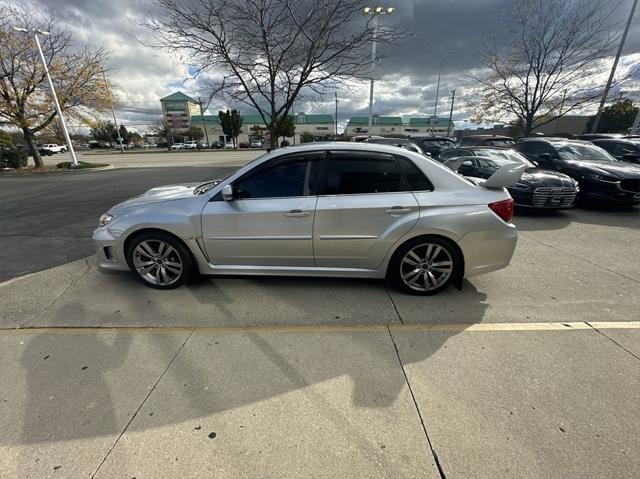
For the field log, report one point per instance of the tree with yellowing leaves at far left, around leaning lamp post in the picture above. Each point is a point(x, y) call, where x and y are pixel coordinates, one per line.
point(25, 100)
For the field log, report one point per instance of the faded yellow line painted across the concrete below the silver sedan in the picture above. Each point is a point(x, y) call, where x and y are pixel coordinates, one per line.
point(337, 328)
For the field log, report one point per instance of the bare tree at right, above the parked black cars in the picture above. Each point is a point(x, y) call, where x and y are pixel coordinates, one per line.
point(548, 69)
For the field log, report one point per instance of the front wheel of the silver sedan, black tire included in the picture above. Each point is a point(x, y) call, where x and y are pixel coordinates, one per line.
point(146, 248)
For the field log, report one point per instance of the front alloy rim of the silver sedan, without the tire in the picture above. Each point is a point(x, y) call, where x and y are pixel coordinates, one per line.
point(157, 262)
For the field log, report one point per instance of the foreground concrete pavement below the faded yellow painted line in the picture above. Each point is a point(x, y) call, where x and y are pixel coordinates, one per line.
point(192, 403)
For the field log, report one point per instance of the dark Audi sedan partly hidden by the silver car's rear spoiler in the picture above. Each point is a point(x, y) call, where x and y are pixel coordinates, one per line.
point(537, 188)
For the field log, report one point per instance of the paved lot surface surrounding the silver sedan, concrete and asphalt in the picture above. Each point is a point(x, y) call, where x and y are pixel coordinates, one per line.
point(532, 371)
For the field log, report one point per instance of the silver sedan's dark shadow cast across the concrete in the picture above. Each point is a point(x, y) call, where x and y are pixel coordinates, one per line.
point(295, 334)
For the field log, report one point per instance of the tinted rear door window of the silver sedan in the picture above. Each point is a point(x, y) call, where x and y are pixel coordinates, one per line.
point(351, 174)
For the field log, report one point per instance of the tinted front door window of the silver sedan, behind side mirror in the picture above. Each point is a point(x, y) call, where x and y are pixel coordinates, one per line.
point(283, 180)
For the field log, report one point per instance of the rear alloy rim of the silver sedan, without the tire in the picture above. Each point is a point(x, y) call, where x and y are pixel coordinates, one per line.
point(426, 267)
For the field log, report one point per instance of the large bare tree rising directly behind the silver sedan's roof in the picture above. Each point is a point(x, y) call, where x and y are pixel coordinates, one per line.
point(267, 53)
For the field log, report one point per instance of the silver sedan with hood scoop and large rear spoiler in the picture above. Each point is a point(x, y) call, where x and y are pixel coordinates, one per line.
point(333, 209)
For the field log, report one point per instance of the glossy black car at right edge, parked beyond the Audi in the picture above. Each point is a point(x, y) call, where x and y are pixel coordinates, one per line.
point(601, 176)
